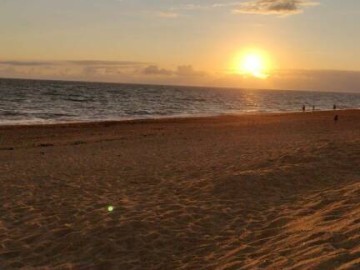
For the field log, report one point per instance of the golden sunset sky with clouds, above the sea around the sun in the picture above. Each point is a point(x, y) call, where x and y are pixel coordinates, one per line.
point(305, 44)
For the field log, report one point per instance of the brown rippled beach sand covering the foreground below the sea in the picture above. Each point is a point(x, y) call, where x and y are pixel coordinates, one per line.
point(274, 191)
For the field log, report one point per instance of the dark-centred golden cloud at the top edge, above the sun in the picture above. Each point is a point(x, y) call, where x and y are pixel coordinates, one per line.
point(274, 7)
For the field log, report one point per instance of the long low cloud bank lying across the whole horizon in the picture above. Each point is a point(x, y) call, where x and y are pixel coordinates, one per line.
point(138, 72)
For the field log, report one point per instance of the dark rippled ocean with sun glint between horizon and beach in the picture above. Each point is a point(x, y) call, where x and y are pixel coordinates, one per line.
point(45, 102)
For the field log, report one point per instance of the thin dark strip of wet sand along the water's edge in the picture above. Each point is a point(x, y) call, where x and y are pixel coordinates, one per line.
point(167, 118)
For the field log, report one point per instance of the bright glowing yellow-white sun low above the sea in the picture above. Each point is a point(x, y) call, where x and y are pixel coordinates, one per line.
point(253, 64)
